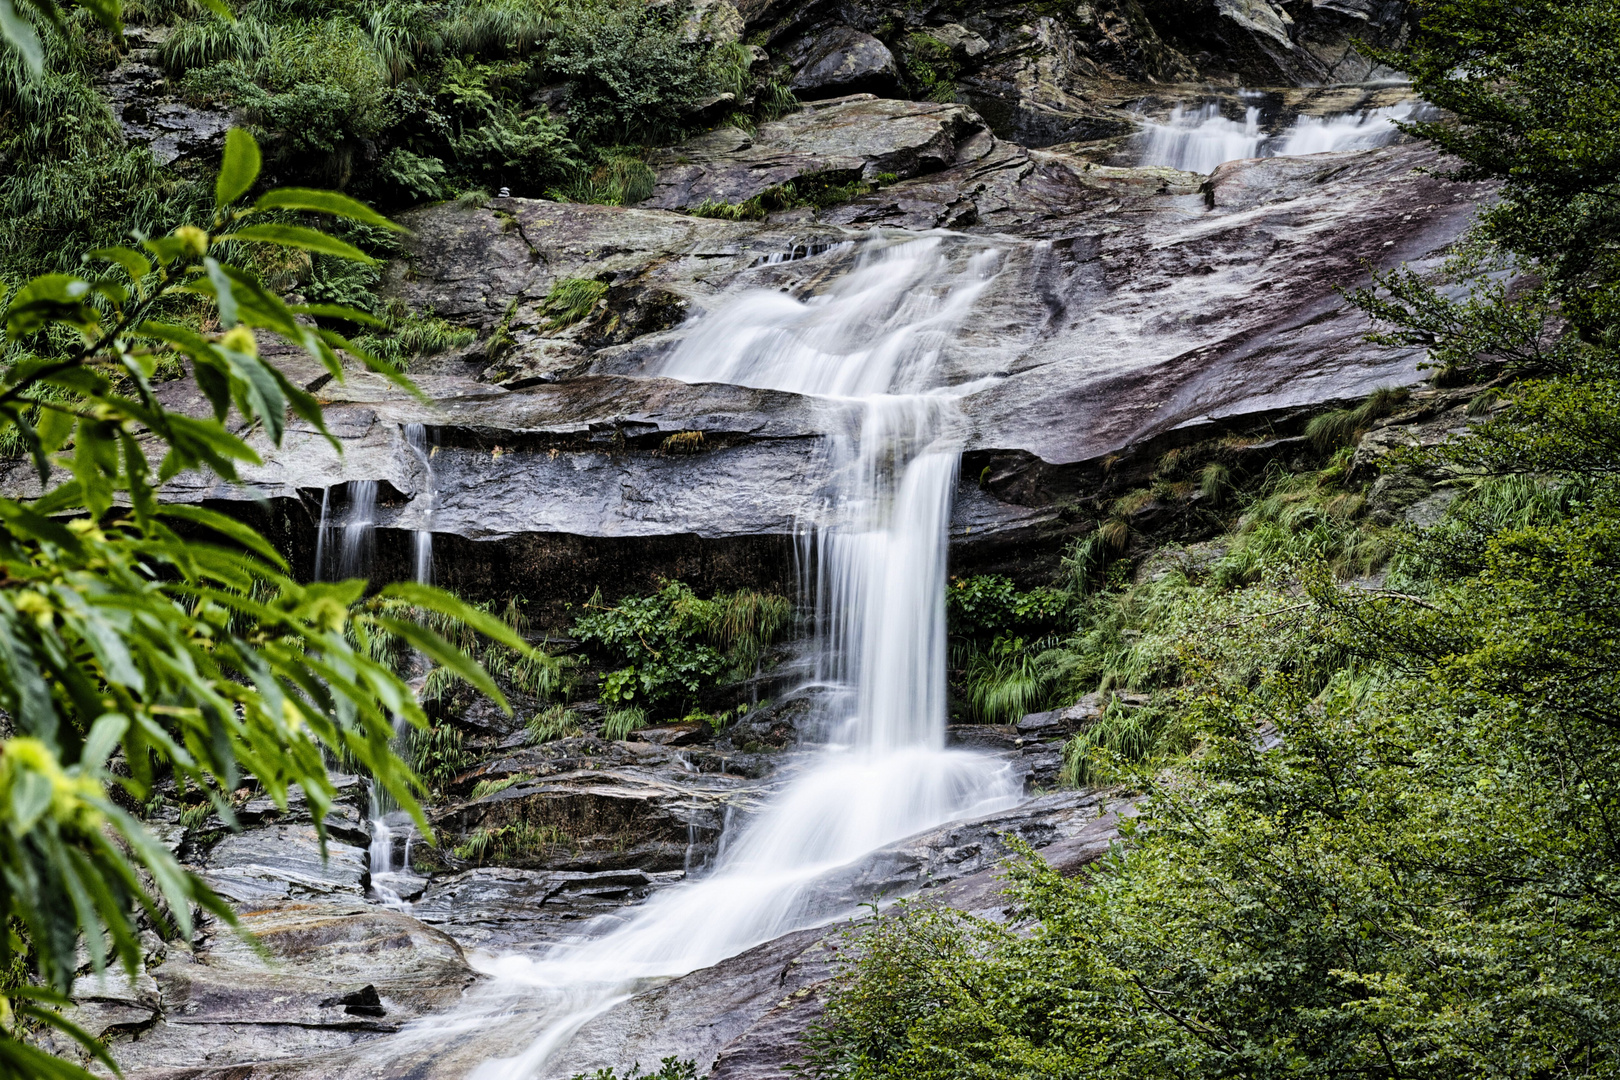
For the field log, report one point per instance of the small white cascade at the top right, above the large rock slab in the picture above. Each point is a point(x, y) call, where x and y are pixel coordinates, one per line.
point(1203, 138)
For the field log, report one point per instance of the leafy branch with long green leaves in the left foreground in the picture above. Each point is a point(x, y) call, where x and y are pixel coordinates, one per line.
point(143, 642)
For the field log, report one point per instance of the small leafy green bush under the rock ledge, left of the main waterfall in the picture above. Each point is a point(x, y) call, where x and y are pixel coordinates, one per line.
point(671, 648)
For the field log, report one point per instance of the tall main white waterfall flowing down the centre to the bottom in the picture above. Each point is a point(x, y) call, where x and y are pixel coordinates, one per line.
point(876, 556)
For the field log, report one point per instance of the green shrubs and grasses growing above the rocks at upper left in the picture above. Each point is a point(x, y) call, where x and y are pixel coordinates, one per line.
point(401, 103)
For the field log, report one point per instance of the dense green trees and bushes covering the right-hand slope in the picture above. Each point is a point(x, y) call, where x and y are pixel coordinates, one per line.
point(1378, 835)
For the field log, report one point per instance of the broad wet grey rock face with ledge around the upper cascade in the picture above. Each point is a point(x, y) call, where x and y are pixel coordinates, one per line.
point(1132, 310)
